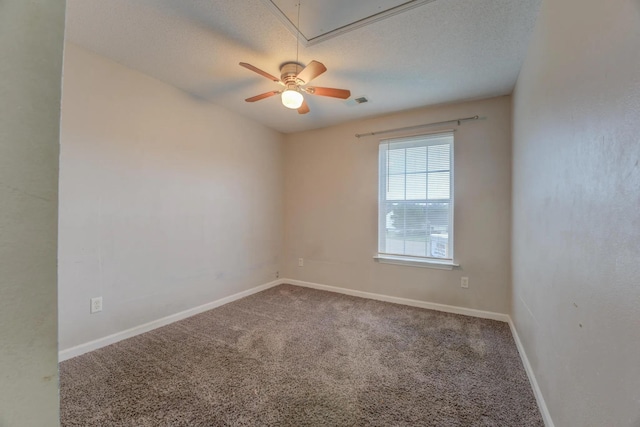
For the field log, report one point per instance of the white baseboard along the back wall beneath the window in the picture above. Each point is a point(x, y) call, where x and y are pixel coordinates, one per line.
point(404, 301)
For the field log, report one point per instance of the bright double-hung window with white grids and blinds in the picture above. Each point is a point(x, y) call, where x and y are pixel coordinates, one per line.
point(416, 199)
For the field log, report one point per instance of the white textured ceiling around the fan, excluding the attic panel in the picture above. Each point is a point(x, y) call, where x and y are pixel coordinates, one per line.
point(443, 51)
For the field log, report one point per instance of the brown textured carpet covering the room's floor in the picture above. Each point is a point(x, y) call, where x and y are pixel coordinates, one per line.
point(292, 356)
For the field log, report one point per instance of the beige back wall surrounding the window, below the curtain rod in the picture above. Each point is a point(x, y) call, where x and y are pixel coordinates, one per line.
point(331, 210)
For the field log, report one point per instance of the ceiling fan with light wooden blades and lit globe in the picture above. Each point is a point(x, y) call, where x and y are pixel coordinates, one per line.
point(294, 78)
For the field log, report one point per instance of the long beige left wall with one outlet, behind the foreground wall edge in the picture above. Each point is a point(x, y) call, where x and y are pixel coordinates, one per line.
point(166, 202)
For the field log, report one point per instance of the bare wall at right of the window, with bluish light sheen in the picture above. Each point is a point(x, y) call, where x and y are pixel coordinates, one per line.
point(576, 204)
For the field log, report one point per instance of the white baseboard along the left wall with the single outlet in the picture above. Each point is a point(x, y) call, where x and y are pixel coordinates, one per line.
point(119, 336)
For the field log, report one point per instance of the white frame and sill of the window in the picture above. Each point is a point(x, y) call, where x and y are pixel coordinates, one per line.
point(421, 140)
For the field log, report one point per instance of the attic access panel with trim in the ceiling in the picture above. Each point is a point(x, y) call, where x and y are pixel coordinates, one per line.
point(324, 19)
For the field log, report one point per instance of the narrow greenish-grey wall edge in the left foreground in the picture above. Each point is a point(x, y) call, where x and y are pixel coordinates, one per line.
point(31, 43)
